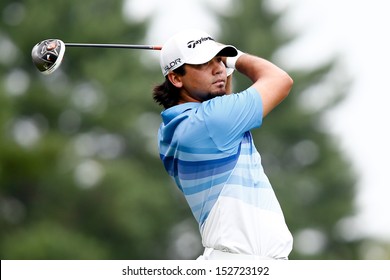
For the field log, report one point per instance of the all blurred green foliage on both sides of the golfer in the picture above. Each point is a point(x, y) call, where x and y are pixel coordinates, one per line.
point(80, 176)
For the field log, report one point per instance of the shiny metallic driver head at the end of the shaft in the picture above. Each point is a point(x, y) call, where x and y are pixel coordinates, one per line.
point(47, 55)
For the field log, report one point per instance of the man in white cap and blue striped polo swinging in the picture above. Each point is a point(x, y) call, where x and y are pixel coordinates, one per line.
point(207, 148)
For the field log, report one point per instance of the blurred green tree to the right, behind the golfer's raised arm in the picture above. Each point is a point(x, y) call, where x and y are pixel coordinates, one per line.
point(311, 176)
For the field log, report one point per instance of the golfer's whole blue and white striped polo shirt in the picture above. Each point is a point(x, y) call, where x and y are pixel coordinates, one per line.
point(208, 150)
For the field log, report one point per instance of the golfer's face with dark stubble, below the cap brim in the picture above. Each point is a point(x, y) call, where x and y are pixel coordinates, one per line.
point(205, 81)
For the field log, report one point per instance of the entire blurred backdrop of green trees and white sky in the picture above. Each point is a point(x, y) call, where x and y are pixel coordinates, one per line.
point(80, 175)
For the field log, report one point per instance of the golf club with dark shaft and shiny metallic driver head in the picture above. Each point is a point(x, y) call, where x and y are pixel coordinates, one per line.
point(47, 55)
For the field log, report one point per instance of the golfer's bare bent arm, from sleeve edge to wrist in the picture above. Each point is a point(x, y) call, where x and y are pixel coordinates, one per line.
point(272, 83)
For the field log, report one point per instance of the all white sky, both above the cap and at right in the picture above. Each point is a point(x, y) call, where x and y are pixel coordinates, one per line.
point(354, 30)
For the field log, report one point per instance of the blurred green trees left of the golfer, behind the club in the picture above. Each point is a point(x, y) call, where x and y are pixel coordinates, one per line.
point(80, 176)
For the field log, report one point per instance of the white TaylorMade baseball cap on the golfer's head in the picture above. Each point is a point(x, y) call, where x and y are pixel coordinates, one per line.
point(191, 47)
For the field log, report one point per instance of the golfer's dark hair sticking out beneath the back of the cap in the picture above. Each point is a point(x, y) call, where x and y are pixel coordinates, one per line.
point(166, 94)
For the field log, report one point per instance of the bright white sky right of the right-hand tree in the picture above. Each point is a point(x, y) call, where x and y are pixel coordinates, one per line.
point(357, 31)
